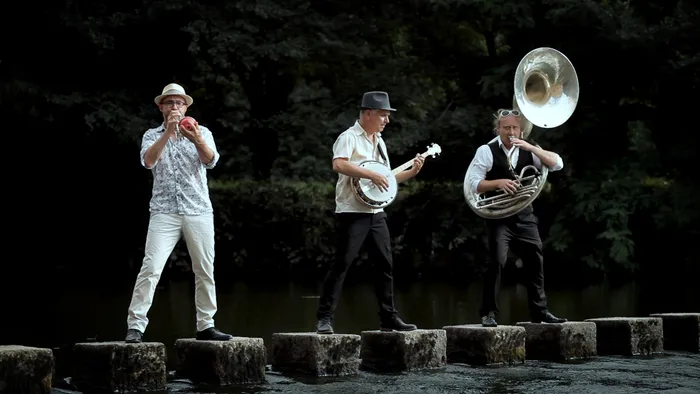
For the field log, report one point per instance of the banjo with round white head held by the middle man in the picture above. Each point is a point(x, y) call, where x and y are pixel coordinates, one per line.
point(369, 194)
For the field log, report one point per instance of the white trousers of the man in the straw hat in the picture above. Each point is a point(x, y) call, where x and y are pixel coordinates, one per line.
point(164, 231)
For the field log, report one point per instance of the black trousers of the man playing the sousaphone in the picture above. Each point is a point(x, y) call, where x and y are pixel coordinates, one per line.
point(520, 233)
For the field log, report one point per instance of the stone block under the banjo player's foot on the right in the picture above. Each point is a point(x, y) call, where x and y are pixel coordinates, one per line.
point(395, 351)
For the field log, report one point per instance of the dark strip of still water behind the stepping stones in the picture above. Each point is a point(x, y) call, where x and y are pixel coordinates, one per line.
point(261, 309)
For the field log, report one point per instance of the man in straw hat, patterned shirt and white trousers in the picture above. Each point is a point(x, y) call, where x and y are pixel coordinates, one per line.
point(180, 205)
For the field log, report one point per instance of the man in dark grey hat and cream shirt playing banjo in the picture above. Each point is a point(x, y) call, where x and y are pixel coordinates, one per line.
point(357, 223)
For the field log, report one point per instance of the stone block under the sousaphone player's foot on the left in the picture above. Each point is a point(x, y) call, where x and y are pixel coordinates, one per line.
point(477, 345)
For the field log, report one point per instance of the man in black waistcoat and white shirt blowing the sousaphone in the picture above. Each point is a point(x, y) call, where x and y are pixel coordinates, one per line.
point(491, 170)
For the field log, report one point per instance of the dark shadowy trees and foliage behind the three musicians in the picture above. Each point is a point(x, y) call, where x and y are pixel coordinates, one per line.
point(277, 81)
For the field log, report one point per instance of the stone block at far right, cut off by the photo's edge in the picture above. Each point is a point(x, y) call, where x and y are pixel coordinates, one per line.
point(681, 331)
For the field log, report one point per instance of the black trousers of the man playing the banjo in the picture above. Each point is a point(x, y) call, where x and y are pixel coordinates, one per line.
point(354, 229)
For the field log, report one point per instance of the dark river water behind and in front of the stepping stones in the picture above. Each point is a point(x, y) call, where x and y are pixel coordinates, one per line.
point(79, 312)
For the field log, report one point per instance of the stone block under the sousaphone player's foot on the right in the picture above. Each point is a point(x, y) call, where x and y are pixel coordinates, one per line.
point(560, 341)
